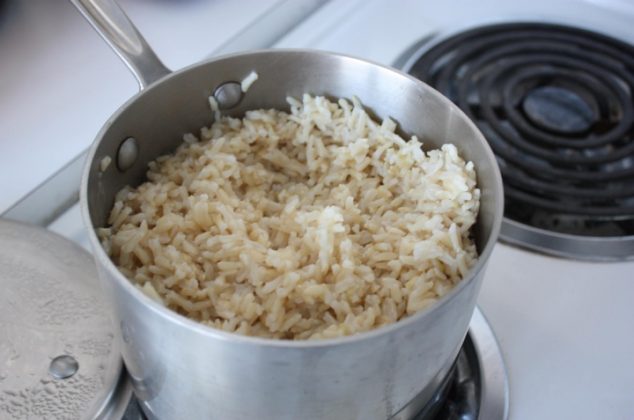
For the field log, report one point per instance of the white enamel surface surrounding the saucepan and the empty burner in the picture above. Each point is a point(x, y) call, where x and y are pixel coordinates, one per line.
point(564, 326)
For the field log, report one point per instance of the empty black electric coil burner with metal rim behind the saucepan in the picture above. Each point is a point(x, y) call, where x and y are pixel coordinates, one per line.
point(556, 104)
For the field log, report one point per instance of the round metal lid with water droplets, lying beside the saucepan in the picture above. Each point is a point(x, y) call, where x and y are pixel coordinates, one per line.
point(58, 354)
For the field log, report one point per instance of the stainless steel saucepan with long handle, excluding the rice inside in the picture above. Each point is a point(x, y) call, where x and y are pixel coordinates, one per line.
point(184, 370)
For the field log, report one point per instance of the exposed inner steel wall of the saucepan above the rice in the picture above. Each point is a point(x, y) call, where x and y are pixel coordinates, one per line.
point(159, 116)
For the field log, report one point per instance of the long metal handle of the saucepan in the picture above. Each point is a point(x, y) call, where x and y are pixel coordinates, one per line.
point(114, 26)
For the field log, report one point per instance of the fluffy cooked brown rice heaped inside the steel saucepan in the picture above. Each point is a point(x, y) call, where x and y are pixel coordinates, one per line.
point(316, 223)
